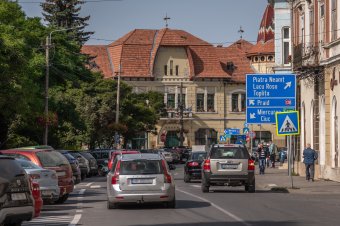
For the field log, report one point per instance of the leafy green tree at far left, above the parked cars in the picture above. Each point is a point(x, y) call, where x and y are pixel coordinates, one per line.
point(21, 72)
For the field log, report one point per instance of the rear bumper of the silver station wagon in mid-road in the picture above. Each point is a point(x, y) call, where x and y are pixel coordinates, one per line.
point(115, 195)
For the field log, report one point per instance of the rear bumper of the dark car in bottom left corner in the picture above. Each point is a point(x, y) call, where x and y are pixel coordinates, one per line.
point(16, 214)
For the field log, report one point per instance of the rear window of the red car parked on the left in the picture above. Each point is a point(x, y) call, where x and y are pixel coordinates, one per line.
point(51, 159)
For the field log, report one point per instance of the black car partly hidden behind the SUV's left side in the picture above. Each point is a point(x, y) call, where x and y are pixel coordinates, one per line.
point(193, 168)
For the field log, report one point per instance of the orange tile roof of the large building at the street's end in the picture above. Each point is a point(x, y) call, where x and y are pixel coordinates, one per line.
point(135, 54)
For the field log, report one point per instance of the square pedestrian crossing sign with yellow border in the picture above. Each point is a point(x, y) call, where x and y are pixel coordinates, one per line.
point(287, 123)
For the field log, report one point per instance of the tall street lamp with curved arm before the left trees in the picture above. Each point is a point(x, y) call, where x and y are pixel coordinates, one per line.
point(47, 47)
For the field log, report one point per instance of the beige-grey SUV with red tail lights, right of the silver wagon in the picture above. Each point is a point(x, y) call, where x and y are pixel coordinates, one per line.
point(228, 164)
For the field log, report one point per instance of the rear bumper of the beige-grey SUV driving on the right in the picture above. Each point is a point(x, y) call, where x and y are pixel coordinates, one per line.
point(229, 179)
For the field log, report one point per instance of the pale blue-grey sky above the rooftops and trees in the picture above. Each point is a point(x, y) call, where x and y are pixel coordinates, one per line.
point(215, 21)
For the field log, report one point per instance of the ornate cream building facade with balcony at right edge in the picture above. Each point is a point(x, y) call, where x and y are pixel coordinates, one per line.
point(316, 62)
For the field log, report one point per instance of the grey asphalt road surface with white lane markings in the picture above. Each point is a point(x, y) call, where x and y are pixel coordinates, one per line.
point(222, 206)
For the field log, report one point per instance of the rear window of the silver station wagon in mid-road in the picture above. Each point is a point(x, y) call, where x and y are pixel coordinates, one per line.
point(140, 167)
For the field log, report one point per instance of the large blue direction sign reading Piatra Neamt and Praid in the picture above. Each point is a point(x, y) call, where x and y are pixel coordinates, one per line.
point(268, 94)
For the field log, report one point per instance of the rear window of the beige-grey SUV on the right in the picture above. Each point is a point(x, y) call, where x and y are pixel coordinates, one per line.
point(229, 153)
